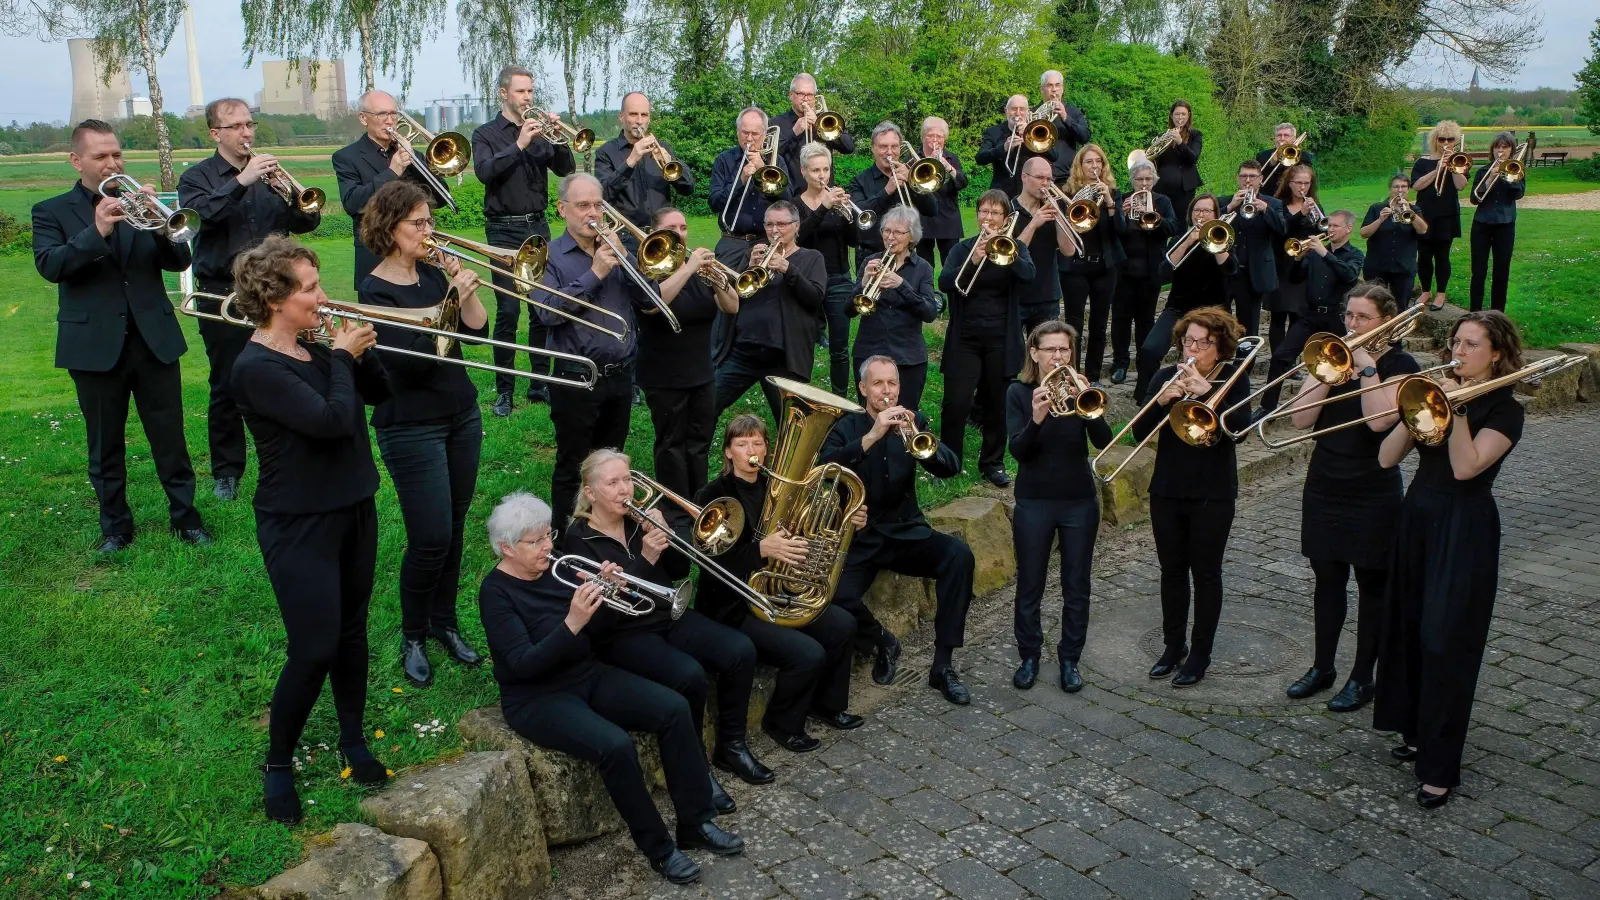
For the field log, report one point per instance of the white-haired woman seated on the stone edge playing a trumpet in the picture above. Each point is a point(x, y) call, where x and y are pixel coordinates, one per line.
point(558, 696)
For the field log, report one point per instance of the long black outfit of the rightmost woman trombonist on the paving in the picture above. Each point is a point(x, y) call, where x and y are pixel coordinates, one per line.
point(1441, 598)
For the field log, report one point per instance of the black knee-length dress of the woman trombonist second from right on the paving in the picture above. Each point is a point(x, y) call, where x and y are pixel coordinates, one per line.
point(1351, 504)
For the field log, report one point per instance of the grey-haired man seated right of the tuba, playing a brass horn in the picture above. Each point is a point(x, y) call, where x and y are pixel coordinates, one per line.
point(897, 536)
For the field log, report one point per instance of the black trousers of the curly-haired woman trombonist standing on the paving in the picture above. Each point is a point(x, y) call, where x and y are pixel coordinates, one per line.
point(1191, 537)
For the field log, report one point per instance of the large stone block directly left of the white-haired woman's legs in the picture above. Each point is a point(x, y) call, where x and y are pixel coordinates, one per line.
point(481, 819)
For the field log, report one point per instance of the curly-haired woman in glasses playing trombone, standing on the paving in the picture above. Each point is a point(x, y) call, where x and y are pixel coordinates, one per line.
point(1193, 492)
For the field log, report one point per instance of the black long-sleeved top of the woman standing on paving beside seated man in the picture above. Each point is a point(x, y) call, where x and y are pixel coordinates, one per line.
point(1052, 457)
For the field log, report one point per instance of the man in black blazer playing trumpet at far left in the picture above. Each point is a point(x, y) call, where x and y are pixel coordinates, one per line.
point(118, 337)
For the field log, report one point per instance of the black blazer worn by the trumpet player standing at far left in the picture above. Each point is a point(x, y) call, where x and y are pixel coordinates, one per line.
point(100, 283)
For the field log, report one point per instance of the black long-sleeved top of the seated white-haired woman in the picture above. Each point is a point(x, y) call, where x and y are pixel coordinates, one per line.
point(532, 648)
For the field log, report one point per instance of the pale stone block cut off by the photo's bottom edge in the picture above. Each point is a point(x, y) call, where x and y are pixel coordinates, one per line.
point(358, 862)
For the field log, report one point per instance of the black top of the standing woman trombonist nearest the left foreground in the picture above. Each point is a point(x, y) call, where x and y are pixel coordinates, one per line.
point(310, 427)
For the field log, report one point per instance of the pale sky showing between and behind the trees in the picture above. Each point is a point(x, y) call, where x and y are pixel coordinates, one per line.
point(36, 84)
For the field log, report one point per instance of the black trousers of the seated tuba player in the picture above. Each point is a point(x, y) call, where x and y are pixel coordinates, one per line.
point(814, 667)
